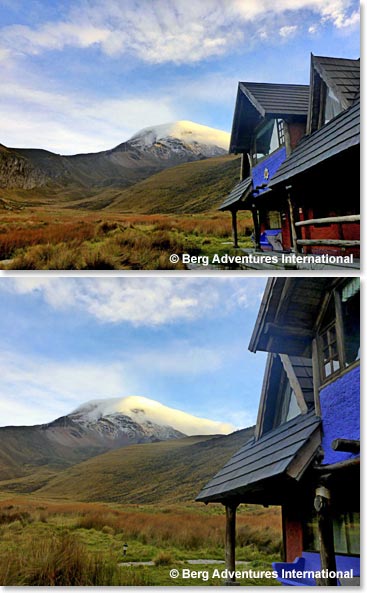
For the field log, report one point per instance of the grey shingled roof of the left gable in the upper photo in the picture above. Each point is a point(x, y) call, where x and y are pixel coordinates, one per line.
point(277, 99)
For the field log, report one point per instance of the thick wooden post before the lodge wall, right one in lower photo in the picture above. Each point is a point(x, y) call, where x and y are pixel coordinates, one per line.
point(326, 535)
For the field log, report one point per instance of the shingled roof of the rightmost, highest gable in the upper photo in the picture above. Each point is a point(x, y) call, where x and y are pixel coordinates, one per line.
point(341, 75)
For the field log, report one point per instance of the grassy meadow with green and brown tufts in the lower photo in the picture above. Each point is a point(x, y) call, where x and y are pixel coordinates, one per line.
point(46, 543)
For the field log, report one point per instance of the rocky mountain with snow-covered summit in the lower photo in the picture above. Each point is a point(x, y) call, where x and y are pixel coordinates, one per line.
point(94, 428)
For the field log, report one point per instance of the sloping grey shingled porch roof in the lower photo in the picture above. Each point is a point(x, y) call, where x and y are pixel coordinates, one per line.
point(268, 457)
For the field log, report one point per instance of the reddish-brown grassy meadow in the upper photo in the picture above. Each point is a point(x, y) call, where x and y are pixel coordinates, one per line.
point(51, 239)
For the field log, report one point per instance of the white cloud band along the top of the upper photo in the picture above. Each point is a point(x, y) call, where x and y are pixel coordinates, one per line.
point(162, 31)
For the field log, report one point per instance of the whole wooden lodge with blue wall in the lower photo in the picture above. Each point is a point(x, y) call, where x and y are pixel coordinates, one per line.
point(304, 455)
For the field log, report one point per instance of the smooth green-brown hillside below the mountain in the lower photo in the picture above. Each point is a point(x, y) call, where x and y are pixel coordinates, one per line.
point(169, 471)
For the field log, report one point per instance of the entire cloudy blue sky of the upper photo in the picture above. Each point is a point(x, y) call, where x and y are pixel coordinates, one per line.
point(84, 75)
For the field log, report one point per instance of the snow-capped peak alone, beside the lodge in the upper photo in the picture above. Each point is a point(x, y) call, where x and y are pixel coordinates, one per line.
point(181, 138)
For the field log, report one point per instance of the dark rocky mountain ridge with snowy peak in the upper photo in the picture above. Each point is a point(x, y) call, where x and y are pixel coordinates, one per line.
point(149, 151)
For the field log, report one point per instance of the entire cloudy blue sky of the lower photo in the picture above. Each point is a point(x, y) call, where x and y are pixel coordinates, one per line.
point(180, 341)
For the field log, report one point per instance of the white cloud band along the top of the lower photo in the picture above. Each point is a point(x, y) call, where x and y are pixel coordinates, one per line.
point(142, 301)
